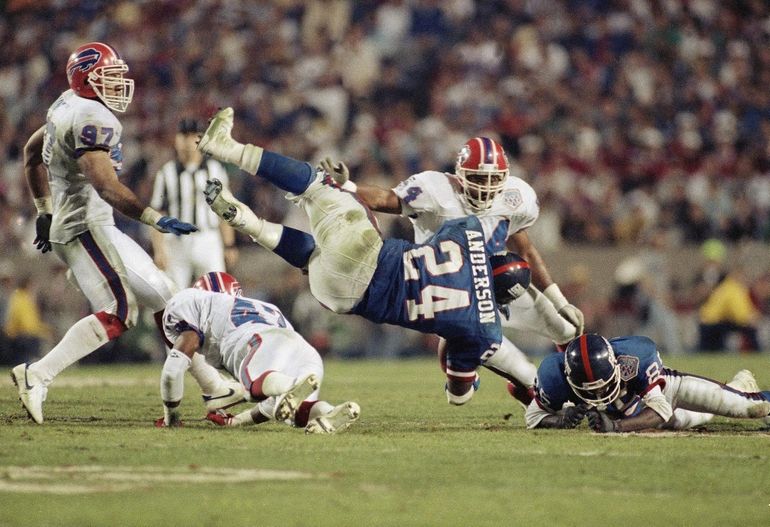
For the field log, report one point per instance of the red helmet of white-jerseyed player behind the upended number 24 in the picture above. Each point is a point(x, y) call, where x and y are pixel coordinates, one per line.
point(482, 169)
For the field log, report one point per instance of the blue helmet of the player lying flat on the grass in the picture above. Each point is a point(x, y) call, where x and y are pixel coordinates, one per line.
point(592, 369)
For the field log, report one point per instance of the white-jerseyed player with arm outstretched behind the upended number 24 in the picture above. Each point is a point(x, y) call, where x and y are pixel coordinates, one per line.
point(482, 186)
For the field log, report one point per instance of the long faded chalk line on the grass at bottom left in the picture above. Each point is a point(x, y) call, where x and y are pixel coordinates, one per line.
point(103, 478)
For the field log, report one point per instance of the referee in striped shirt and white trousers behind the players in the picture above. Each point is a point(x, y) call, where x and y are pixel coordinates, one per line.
point(178, 191)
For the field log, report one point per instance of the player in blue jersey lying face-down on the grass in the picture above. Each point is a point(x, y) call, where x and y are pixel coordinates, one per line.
point(621, 385)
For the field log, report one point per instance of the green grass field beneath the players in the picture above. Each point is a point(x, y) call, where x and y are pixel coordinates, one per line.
point(410, 460)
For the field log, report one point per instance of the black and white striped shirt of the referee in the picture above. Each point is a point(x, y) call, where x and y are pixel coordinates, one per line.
point(179, 189)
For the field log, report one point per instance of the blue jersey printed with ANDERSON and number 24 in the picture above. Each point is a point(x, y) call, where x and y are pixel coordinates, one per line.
point(443, 286)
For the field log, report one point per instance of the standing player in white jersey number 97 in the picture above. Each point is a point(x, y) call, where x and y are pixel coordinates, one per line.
point(71, 165)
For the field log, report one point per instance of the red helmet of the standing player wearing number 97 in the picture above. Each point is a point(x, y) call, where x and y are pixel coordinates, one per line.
point(95, 70)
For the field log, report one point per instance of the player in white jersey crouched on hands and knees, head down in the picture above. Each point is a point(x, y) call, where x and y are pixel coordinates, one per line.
point(255, 343)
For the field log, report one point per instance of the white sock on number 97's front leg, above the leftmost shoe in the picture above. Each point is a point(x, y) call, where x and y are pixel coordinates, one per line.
point(84, 337)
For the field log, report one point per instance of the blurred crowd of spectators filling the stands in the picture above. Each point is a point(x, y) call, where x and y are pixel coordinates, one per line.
point(637, 122)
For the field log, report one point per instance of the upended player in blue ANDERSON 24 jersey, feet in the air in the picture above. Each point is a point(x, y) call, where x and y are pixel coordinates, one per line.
point(444, 286)
